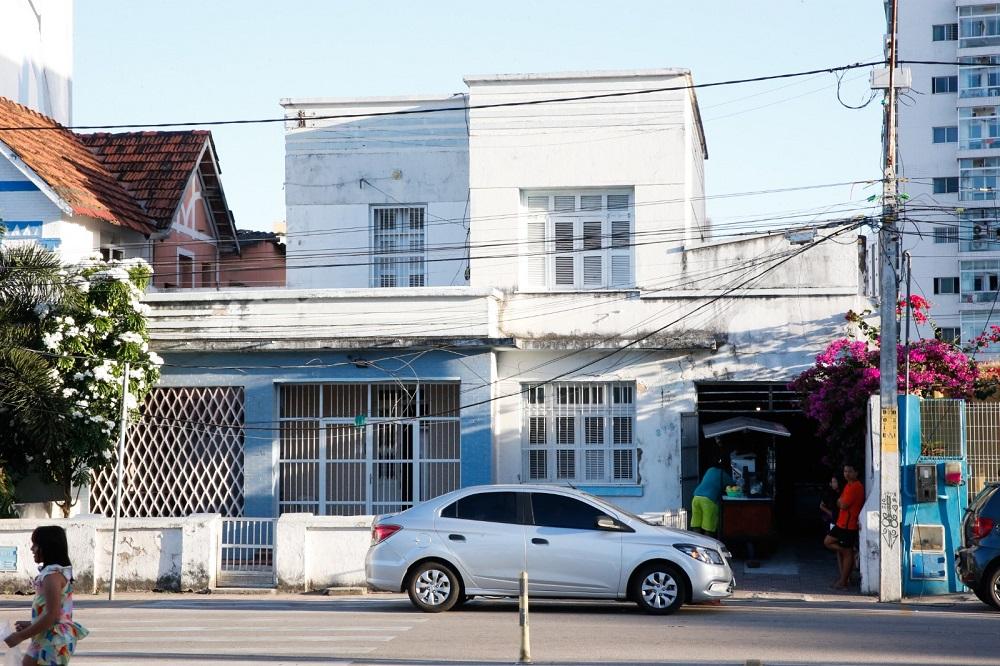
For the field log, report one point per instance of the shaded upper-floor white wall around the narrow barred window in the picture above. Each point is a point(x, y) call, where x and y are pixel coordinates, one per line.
point(336, 169)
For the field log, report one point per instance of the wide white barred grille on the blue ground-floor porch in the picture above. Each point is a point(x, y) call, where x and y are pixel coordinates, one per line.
point(360, 448)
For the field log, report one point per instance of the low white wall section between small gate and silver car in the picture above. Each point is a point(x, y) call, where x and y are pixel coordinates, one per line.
point(313, 552)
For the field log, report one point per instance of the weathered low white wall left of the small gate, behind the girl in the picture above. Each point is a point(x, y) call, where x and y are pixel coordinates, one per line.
point(164, 553)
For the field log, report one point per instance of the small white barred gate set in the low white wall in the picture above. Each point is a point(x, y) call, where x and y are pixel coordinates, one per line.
point(246, 553)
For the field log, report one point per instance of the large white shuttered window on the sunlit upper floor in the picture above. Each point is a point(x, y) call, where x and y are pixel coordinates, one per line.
point(577, 241)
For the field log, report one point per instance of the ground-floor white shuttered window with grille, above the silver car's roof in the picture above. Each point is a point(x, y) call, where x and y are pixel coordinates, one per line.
point(579, 432)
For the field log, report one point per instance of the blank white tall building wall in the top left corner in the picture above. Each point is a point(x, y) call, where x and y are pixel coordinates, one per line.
point(36, 55)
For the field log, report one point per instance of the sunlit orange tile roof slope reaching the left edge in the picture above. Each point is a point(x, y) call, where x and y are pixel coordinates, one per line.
point(74, 173)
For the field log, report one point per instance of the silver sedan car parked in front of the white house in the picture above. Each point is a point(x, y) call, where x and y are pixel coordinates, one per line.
point(477, 540)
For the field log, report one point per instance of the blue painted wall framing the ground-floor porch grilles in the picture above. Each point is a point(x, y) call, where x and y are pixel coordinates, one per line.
point(260, 372)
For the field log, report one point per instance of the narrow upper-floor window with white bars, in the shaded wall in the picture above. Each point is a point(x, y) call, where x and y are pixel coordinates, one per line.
point(398, 250)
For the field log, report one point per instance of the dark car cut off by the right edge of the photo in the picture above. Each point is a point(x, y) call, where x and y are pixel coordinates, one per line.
point(977, 562)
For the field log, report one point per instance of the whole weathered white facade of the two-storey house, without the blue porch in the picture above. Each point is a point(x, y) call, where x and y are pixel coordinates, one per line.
point(588, 234)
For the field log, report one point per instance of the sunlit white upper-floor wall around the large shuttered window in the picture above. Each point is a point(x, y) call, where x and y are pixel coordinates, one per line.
point(585, 144)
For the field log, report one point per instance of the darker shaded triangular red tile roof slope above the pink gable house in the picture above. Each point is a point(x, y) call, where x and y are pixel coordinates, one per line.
point(153, 166)
